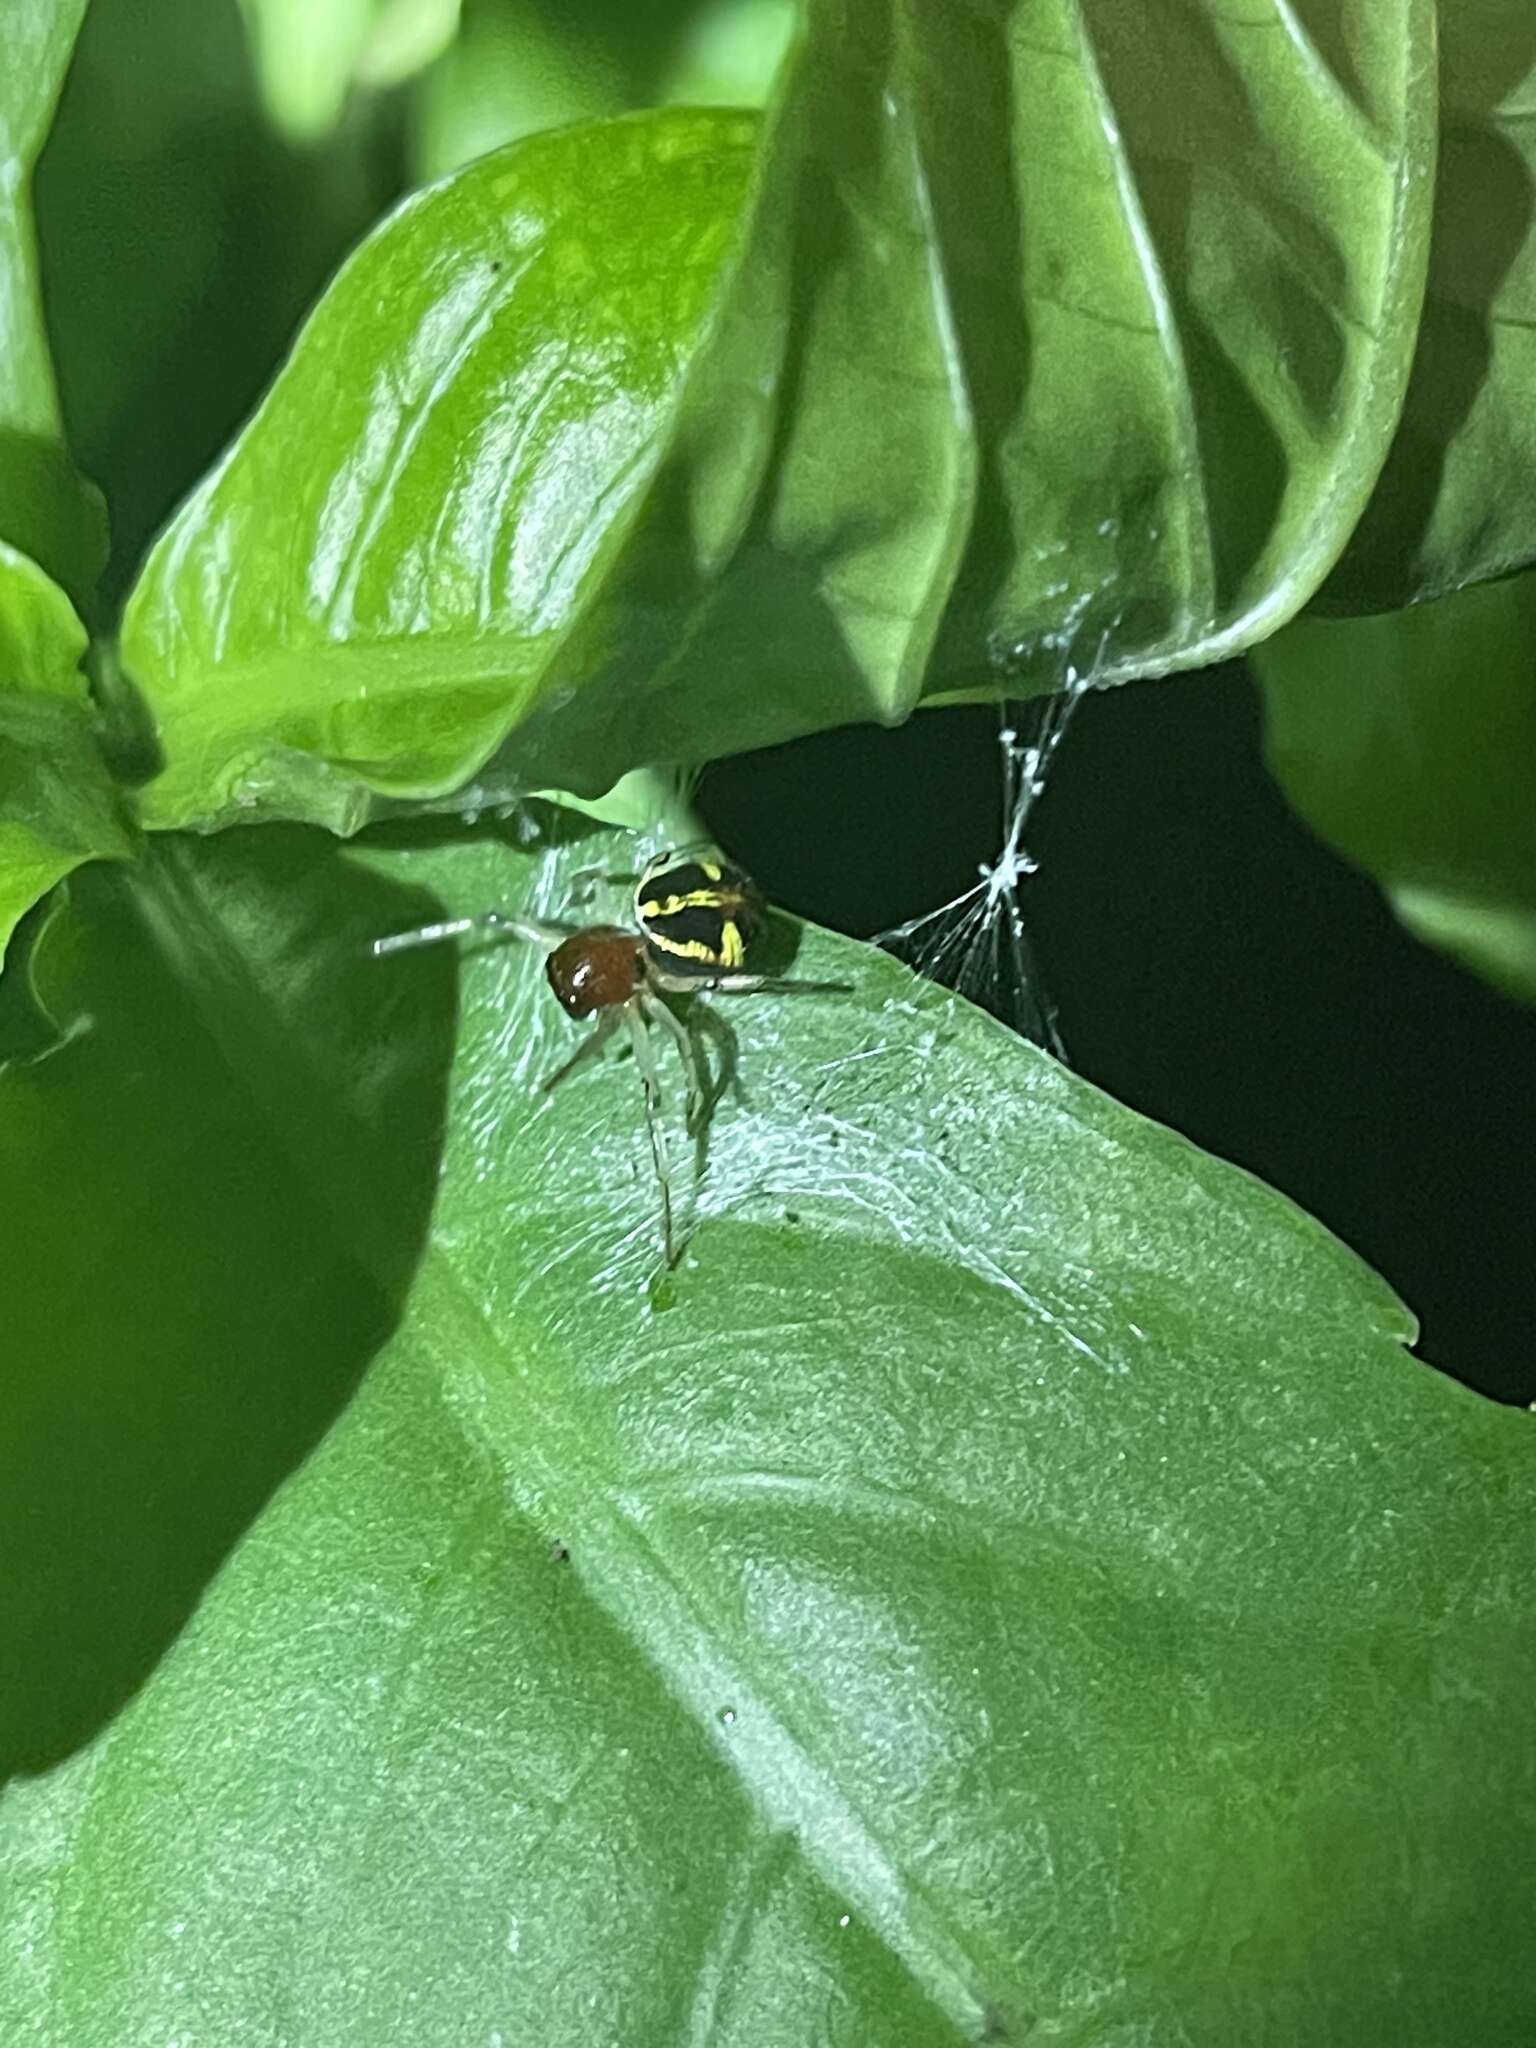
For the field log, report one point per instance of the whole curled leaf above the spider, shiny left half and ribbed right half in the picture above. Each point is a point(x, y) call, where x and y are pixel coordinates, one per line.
point(1041, 343)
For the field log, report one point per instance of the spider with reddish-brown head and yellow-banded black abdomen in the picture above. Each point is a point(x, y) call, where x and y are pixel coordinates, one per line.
point(695, 921)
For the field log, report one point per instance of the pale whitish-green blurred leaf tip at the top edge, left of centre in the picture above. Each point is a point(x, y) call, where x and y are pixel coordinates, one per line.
point(312, 52)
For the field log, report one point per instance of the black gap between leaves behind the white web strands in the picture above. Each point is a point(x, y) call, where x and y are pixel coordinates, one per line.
point(1211, 966)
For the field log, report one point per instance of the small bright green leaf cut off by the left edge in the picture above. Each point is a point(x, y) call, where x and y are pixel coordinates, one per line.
point(58, 802)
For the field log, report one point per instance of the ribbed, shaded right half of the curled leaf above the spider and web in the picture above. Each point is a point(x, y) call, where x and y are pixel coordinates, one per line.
point(1060, 335)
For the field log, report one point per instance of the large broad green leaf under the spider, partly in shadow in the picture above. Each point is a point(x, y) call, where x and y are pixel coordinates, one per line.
point(1009, 1582)
